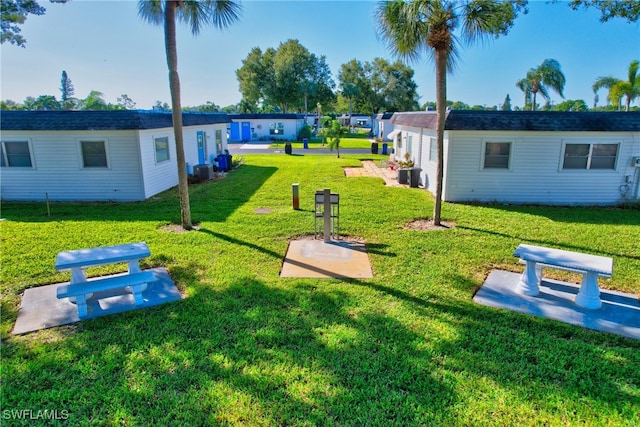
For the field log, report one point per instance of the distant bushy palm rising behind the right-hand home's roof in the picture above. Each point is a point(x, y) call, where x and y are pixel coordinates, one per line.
point(547, 75)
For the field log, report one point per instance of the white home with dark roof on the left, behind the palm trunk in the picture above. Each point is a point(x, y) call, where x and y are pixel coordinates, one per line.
point(100, 155)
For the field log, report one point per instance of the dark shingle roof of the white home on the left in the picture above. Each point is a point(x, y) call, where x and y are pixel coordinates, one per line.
point(101, 120)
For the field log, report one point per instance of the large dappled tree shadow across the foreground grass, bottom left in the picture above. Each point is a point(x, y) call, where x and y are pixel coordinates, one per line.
point(248, 354)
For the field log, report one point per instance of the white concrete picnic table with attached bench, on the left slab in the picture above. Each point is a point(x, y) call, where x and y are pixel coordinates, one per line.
point(78, 260)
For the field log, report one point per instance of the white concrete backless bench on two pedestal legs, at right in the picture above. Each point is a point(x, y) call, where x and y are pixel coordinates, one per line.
point(590, 266)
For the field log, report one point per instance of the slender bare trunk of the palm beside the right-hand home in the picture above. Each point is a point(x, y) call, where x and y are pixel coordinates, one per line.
point(441, 112)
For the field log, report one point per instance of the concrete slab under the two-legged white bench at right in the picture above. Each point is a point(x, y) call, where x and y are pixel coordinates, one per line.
point(620, 312)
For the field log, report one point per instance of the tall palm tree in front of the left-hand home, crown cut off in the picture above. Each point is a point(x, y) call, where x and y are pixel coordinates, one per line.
point(219, 13)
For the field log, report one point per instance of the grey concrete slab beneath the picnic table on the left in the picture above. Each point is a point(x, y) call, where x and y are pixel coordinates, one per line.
point(40, 308)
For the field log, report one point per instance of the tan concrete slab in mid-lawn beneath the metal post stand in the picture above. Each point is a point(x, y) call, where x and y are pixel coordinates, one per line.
point(317, 258)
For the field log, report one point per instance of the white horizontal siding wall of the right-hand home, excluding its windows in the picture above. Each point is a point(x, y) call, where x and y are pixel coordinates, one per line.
point(535, 176)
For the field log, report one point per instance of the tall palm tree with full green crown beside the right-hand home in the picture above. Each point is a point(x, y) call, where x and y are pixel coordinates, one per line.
point(414, 27)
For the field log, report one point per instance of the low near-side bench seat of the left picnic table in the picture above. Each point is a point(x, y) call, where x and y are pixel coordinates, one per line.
point(84, 290)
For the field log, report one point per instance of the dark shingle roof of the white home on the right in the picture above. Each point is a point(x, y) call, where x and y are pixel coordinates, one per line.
point(525, 120)
